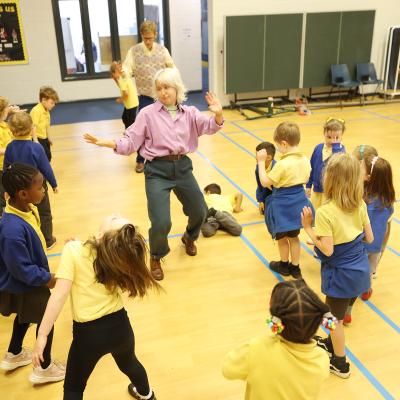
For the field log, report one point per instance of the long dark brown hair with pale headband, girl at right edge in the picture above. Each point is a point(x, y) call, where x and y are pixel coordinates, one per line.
point(380, 182)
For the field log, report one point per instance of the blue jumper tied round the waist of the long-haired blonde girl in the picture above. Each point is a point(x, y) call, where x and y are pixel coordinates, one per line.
point(345, 274)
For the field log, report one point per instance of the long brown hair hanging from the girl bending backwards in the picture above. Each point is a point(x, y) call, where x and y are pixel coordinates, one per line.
point(120, 261)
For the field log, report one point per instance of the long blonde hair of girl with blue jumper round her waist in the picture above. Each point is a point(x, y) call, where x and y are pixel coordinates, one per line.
point(343, 182)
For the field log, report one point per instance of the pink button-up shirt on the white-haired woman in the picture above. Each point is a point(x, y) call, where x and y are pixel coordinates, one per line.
point(157, 134)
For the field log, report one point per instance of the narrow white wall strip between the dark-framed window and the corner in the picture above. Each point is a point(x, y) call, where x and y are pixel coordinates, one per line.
point(185, 27)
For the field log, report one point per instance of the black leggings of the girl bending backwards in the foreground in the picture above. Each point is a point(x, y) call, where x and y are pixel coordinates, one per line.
point(94, 339)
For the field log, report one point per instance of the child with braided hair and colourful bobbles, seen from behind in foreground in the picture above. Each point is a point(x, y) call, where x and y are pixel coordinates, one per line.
point(286, 364)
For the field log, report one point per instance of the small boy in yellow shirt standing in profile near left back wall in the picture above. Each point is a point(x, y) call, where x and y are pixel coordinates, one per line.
point(40, 115)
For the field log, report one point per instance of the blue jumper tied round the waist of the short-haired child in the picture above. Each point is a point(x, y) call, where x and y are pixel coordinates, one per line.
point(283, 209)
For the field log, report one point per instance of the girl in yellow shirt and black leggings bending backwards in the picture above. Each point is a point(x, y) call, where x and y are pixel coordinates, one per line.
point(95, 273)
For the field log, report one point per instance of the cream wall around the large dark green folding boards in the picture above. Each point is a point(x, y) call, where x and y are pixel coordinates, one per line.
point(387, 14)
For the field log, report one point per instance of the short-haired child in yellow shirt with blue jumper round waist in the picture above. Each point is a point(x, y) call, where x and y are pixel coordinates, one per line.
point(283, 214)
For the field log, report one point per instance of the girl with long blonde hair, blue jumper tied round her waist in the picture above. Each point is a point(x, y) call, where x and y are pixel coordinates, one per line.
point(341, 226)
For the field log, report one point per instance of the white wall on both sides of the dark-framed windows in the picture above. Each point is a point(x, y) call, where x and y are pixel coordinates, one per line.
point(20, 83)
